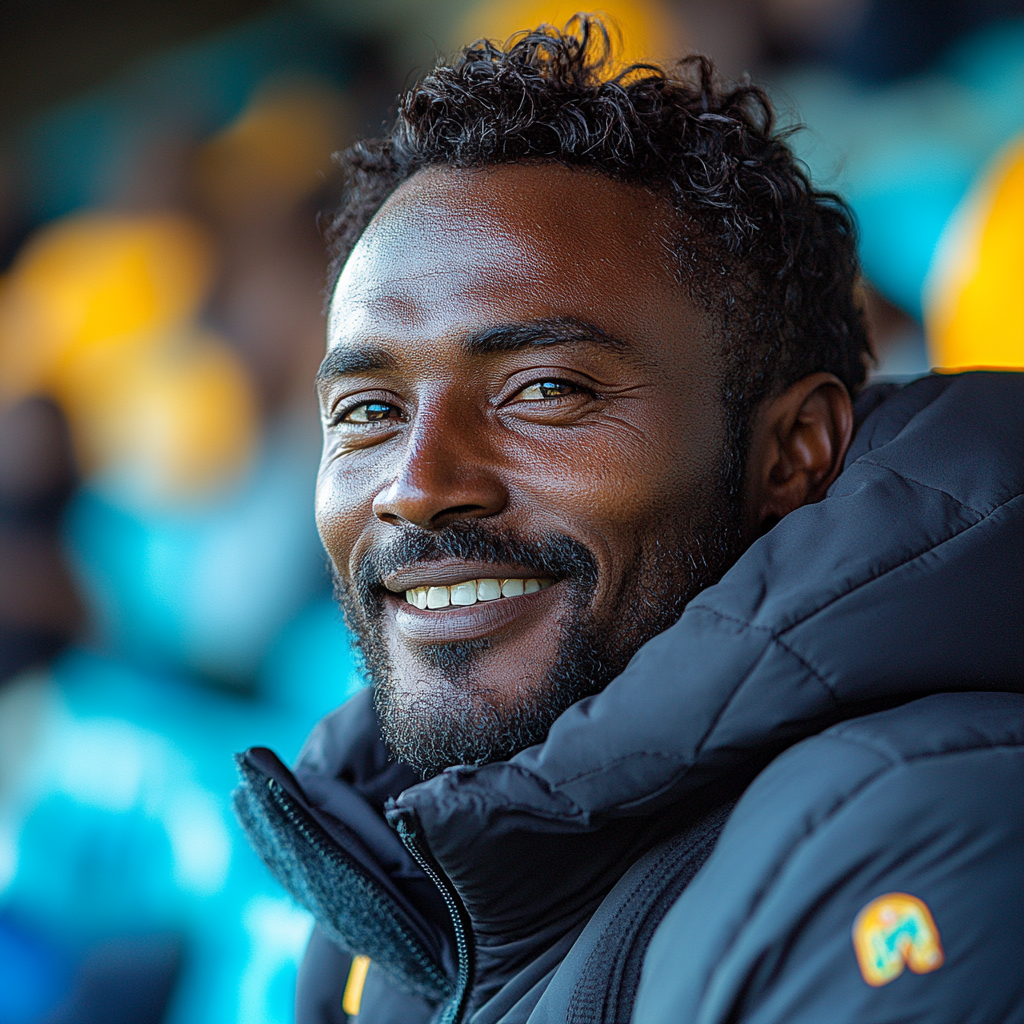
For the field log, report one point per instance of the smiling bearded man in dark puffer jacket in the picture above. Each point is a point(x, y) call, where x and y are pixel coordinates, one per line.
point(593, 343)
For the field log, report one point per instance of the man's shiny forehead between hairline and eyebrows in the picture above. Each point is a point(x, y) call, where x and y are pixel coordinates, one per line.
point(453, 251)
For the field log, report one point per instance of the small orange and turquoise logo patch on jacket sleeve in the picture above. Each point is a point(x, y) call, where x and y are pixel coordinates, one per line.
point(892, 932)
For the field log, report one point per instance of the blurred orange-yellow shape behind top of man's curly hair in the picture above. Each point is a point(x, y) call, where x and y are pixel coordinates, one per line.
point(650, 31)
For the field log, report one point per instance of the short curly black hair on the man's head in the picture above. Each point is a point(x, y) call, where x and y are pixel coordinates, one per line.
point(772, 260)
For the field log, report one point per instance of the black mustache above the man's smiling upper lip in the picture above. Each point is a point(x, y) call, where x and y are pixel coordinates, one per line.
point(554, 556)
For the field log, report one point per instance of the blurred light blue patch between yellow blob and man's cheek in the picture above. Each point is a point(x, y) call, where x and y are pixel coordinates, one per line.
point(204, 588)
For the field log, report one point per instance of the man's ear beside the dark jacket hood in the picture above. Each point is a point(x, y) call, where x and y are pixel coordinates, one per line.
point(800, 441)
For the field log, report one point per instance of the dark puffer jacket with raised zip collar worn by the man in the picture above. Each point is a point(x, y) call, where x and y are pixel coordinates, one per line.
point(877, 638)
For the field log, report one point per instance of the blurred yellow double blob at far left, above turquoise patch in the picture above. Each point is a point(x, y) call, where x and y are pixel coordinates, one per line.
point(100, 312)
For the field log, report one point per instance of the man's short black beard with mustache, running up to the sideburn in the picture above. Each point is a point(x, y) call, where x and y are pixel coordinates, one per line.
point(456, 718)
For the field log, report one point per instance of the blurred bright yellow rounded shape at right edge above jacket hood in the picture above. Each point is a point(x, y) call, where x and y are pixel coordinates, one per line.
point(974, 296)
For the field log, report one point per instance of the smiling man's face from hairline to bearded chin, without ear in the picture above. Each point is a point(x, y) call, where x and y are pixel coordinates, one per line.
point(525, 451)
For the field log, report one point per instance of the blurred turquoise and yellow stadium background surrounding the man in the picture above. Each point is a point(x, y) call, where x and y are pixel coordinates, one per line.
point(164, 601)
